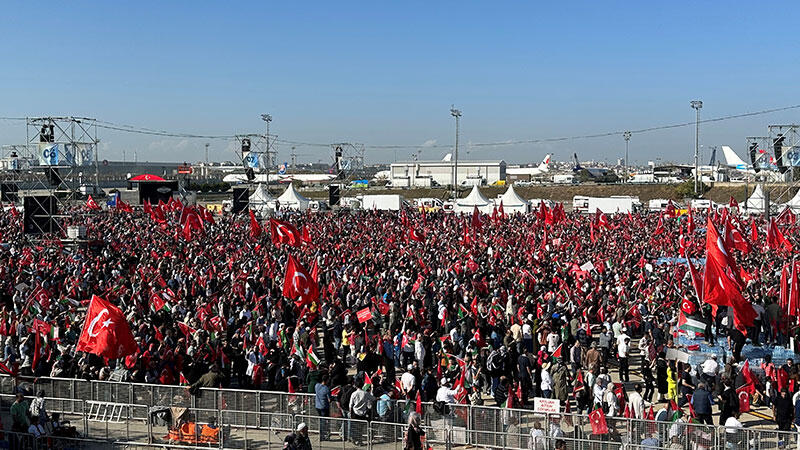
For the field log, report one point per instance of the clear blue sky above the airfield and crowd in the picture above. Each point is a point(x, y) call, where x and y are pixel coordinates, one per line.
point(387, 72)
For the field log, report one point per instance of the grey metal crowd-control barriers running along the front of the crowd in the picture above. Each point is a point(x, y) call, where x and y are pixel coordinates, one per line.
point(254, 417)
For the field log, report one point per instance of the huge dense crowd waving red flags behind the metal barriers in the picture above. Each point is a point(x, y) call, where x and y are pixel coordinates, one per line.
point(424, 306)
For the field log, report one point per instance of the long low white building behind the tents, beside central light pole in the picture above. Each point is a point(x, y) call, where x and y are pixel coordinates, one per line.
point(432, 173)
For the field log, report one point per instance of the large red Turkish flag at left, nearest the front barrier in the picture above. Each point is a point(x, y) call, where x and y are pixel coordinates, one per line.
point(106, 332)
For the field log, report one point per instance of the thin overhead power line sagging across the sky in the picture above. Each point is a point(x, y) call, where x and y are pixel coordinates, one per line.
point(153, 132)
